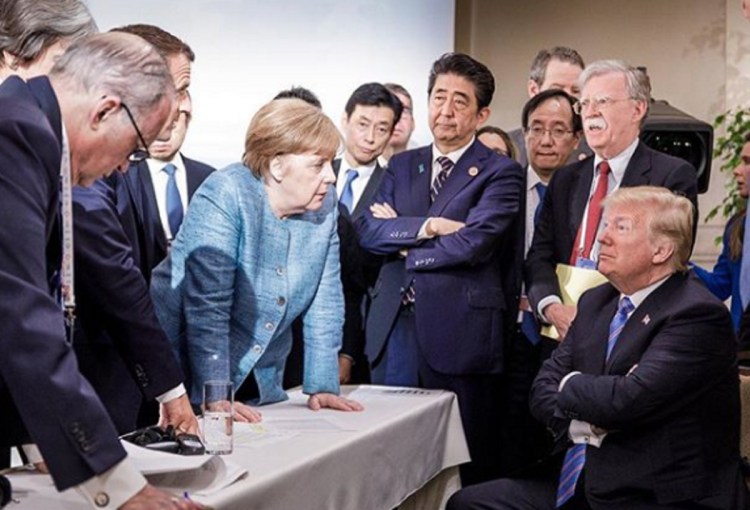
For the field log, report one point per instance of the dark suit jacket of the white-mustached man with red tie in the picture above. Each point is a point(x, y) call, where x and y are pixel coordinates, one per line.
point(565, 203)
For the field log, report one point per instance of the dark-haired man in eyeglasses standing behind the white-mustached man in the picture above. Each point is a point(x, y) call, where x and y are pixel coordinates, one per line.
point(553, 131)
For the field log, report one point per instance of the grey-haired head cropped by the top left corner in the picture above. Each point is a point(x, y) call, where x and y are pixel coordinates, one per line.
point(33, 33)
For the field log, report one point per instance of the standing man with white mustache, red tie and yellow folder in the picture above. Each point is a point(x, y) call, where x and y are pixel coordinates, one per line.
point(615, 98)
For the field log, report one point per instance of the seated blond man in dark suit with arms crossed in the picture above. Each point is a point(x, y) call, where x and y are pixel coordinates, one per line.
point(642, 396)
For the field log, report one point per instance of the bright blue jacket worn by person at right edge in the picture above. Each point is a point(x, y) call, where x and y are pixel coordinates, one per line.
point(724, 280)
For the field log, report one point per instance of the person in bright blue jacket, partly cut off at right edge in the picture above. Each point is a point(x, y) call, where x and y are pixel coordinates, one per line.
point(724, 280)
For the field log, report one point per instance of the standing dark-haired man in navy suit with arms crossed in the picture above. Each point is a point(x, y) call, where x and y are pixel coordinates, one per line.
point(447, 218)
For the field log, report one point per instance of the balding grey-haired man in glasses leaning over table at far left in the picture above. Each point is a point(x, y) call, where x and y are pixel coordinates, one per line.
point(105, 99)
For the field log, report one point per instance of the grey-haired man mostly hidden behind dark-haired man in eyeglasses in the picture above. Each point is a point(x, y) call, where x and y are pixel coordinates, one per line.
point(556, 68)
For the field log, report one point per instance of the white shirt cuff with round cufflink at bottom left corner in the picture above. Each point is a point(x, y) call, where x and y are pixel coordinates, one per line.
point(114, 487)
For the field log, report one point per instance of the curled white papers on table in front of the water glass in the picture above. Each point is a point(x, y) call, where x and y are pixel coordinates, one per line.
point(197, 474)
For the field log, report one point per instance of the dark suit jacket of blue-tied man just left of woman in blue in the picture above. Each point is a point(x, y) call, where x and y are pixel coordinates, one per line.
point(139, 212)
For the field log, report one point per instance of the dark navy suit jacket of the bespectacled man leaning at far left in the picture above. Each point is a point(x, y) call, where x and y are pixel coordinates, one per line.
point(40, 385)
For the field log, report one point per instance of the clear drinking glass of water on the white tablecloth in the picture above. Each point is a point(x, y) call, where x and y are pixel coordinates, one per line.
point(218, 397)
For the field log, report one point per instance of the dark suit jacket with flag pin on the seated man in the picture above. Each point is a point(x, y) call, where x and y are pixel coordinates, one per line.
point(674, 419)
